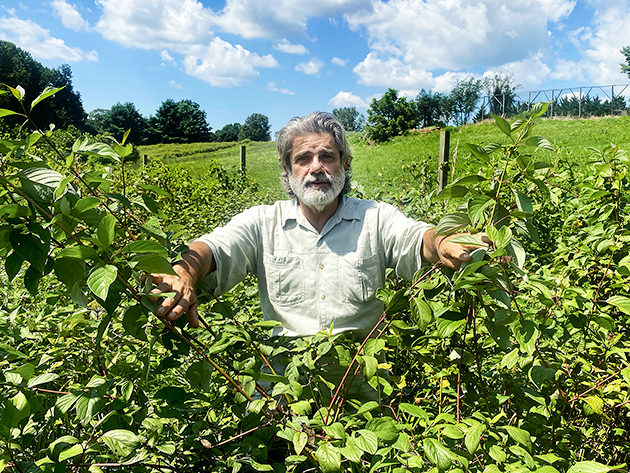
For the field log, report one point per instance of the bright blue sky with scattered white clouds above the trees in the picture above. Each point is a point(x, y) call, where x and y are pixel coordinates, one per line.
point(285, 58)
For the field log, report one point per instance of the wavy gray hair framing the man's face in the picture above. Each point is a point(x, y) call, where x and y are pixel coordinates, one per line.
point(316, 122)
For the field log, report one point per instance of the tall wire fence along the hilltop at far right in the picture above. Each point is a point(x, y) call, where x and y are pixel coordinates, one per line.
point(573, 101)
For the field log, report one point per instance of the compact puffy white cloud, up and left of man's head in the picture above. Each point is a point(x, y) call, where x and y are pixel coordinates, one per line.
point(223, 65)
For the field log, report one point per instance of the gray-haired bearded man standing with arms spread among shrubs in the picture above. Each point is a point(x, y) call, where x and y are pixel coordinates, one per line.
point(319, 257)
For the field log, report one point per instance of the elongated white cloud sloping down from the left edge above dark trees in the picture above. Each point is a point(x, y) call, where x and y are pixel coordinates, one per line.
point(38, 41)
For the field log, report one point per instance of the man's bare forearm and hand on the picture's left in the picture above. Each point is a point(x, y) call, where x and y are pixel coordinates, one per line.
point(194, 265)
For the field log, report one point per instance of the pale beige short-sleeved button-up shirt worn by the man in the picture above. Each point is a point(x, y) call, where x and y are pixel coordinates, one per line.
point(310, 280)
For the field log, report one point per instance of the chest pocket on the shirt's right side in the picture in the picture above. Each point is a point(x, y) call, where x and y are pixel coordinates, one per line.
point(363, 276)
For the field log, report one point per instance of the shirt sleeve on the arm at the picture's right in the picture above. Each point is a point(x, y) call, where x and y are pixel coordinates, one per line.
point(402, 240)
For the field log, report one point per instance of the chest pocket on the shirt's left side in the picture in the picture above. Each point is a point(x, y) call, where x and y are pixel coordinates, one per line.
point(285, 279)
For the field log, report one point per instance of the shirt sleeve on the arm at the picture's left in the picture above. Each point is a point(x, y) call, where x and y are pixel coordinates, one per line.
point(235, 248)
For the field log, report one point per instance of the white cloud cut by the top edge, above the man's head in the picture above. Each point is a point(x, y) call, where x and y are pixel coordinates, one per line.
point(281, 18)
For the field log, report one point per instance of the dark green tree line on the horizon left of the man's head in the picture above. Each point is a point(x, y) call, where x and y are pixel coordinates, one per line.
point(173, 122)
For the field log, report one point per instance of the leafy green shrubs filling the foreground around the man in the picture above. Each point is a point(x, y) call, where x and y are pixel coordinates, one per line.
point(517, 362)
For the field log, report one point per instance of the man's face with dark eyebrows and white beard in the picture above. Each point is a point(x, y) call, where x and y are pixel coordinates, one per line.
point(316, 176)
